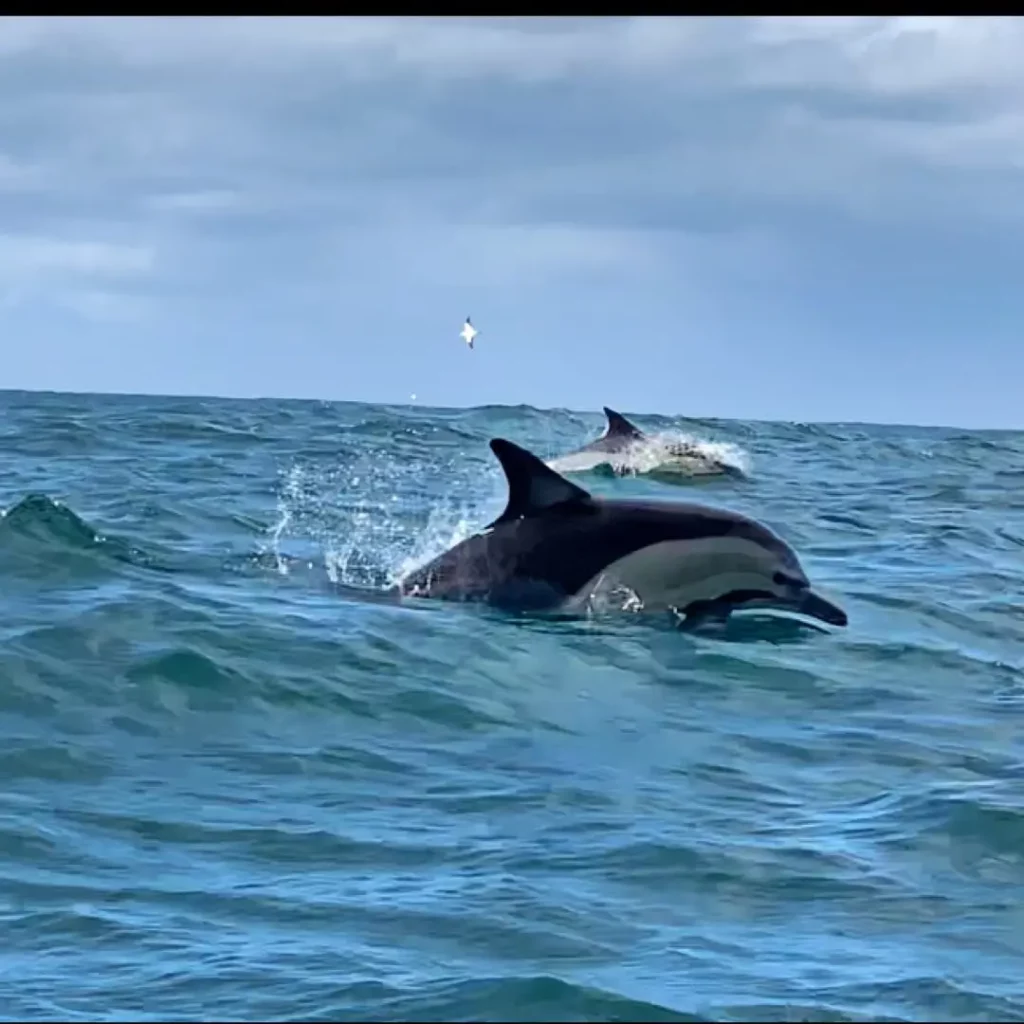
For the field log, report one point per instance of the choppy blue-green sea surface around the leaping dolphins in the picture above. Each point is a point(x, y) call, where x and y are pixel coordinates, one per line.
point(235, 786)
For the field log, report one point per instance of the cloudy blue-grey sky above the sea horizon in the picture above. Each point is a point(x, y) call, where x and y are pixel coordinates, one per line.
point(784, 219)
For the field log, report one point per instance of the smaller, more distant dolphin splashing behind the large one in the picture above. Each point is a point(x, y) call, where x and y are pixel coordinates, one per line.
point(669, 458)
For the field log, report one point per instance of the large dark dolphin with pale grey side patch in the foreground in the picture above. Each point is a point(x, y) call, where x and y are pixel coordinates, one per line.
point(558, 547)
